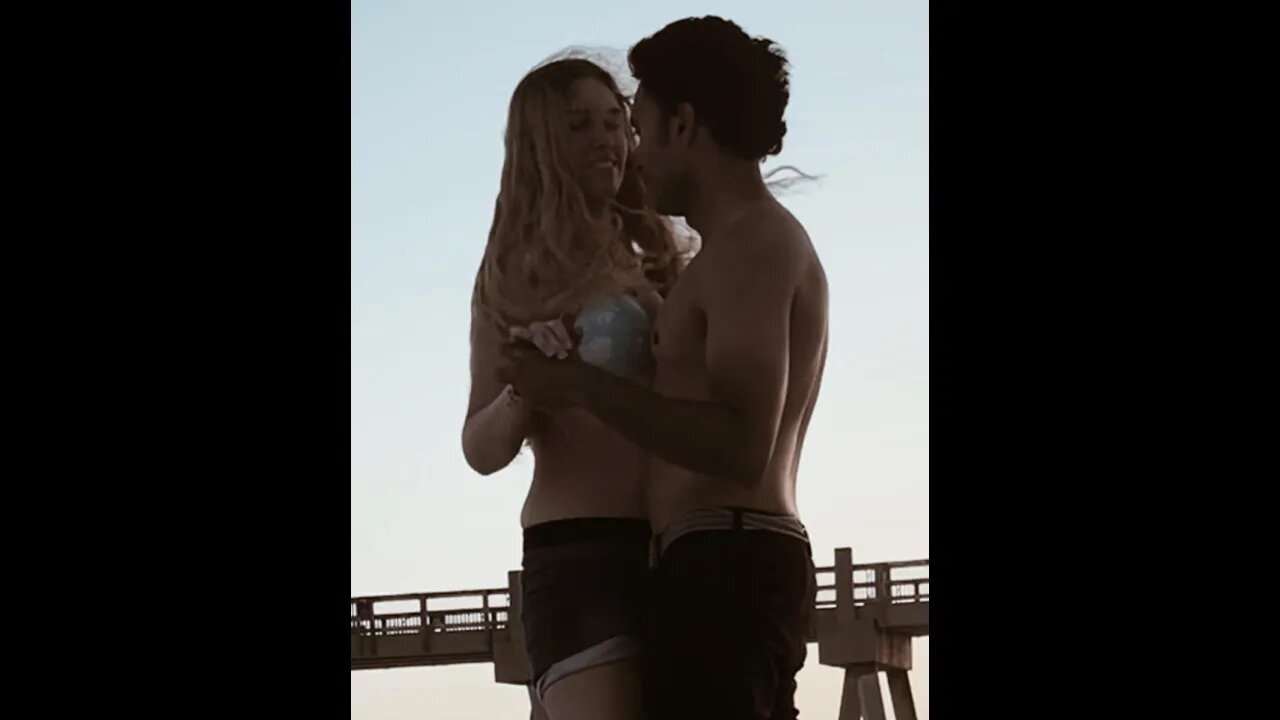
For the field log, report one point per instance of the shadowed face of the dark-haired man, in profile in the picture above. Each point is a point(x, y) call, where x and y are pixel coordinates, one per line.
point(662, 161)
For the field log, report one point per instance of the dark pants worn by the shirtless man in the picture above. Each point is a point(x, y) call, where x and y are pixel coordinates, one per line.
point(729, 621)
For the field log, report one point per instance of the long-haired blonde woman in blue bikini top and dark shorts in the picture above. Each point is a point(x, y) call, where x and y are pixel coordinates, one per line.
point(572, 238)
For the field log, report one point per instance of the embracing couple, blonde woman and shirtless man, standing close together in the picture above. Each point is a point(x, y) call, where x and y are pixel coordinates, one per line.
point(666, 400)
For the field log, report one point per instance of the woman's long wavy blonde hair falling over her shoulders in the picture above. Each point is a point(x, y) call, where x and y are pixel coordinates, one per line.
point(546, 253)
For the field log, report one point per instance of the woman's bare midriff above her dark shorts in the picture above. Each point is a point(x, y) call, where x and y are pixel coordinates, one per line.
point(583, 470)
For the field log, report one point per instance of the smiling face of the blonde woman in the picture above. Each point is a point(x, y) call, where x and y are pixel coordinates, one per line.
point(597, 139)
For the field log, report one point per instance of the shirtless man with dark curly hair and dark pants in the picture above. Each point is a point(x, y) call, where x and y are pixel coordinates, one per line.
point(740, 347)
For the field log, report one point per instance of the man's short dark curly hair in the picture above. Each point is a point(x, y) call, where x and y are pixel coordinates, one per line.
point(737, 84)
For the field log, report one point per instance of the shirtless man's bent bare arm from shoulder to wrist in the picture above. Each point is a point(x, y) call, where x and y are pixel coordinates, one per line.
point(747, 299)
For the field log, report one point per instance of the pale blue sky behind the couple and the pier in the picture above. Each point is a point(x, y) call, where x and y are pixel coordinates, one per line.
point(429, 98)
